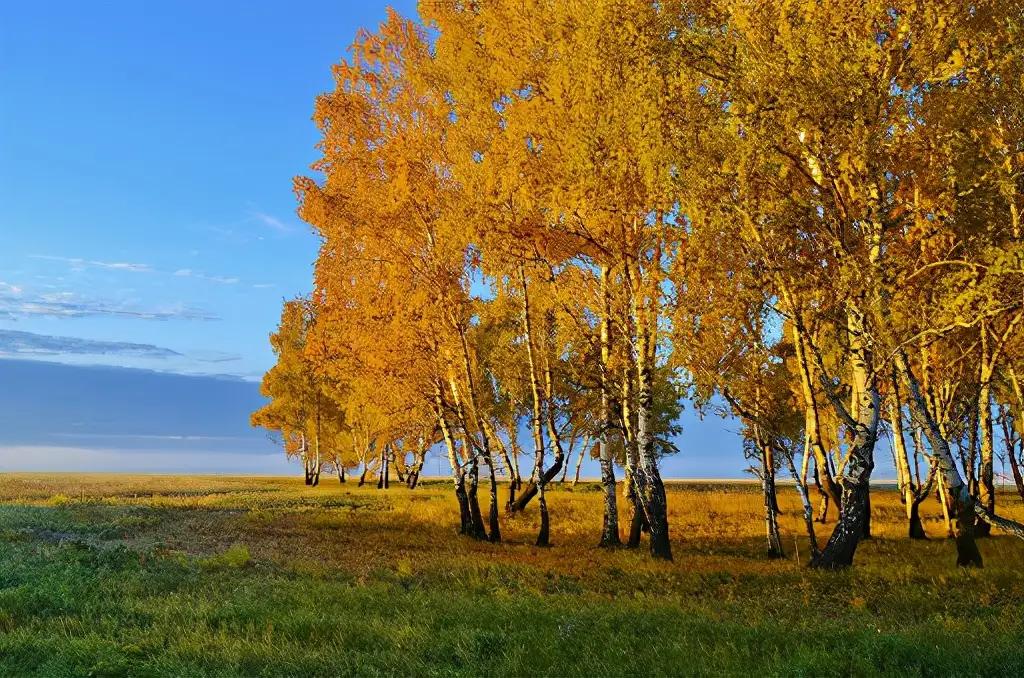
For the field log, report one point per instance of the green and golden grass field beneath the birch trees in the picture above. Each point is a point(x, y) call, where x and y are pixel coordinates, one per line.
point(112, 575)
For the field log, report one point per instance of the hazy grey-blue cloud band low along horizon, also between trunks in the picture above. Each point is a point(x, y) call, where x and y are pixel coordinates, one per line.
point(120, 419)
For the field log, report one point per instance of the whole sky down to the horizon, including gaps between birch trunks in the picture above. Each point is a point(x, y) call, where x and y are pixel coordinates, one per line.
point(148, 221)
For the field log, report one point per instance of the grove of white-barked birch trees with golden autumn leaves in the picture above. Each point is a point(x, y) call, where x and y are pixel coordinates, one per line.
point(548, 227)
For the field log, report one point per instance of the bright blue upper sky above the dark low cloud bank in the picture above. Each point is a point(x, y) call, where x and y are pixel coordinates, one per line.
point(147, 156)
